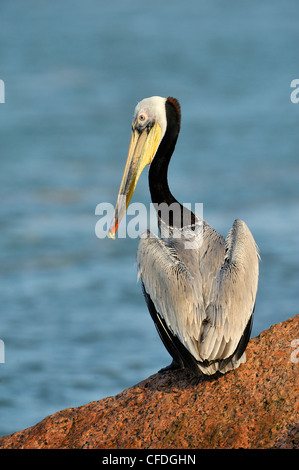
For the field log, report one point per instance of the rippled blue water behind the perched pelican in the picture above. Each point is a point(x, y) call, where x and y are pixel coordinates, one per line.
point(73, 319)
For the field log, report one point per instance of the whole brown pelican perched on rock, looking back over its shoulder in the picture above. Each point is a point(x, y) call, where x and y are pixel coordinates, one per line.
point(201, 297)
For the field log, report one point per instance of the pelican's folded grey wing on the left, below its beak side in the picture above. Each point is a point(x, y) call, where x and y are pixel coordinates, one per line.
point(172, 289)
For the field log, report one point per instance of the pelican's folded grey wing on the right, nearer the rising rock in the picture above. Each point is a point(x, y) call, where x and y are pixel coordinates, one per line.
point(230, 304)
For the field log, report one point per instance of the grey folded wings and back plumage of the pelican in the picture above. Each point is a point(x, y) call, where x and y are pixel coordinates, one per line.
point(206, 295)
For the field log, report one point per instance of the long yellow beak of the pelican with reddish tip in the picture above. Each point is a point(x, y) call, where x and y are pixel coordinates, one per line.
point(142, 149)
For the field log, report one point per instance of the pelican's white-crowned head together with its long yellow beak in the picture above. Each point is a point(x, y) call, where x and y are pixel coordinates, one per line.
point(148, 129)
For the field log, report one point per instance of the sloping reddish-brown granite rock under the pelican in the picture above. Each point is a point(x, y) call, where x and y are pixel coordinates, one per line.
point(254, 406)
